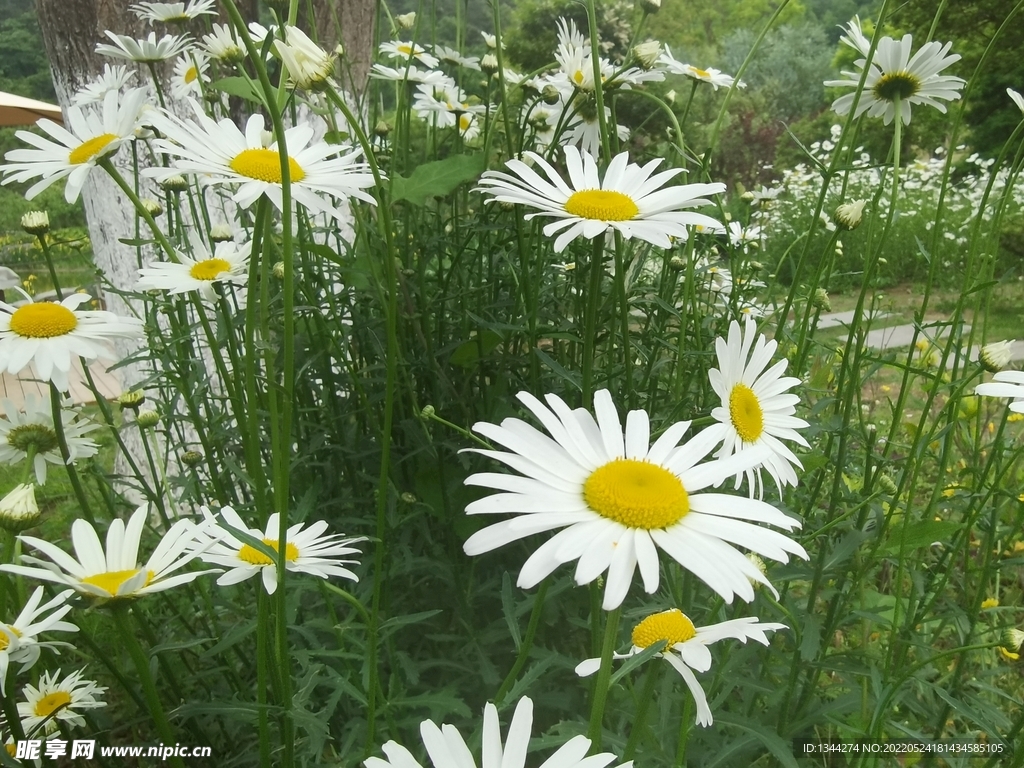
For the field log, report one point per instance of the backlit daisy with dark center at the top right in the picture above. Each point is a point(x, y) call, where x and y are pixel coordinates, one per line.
point(893, 76)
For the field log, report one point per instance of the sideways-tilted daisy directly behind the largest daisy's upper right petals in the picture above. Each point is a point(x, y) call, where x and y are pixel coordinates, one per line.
point(756, 410)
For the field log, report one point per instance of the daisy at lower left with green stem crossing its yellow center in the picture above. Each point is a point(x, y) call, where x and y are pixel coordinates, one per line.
point(306, 551)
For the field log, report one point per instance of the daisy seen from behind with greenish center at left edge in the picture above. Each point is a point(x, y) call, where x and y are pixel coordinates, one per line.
point(31, 430)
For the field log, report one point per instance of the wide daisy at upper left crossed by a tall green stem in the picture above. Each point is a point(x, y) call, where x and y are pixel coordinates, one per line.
point(220, 154)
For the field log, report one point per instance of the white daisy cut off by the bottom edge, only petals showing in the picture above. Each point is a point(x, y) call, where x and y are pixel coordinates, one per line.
point(448, 749)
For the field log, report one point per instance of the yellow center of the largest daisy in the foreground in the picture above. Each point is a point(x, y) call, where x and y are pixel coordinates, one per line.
point(638, 495)
